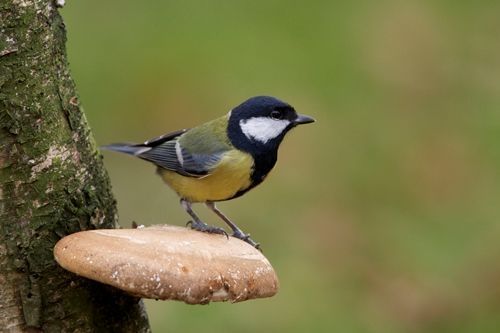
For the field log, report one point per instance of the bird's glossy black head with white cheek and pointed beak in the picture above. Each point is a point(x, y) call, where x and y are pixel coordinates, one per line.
point(259, 124)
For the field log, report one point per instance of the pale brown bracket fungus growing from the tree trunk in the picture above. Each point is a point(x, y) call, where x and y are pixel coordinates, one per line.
point(167, 262)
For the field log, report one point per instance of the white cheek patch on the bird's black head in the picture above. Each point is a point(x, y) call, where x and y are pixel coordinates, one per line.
point(263, 129)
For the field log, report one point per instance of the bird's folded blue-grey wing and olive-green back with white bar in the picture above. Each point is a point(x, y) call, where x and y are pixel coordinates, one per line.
point(191, 153)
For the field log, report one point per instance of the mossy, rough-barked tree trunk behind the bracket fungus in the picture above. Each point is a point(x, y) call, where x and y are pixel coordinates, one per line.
point(52, 183)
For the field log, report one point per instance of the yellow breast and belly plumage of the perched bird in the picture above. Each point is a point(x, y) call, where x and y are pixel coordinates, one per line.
point(230, 175)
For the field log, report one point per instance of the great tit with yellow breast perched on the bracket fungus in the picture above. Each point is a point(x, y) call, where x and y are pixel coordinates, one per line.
point(221, 159)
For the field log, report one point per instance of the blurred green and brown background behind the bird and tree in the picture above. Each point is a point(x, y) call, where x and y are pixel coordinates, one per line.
point(381, 217)
